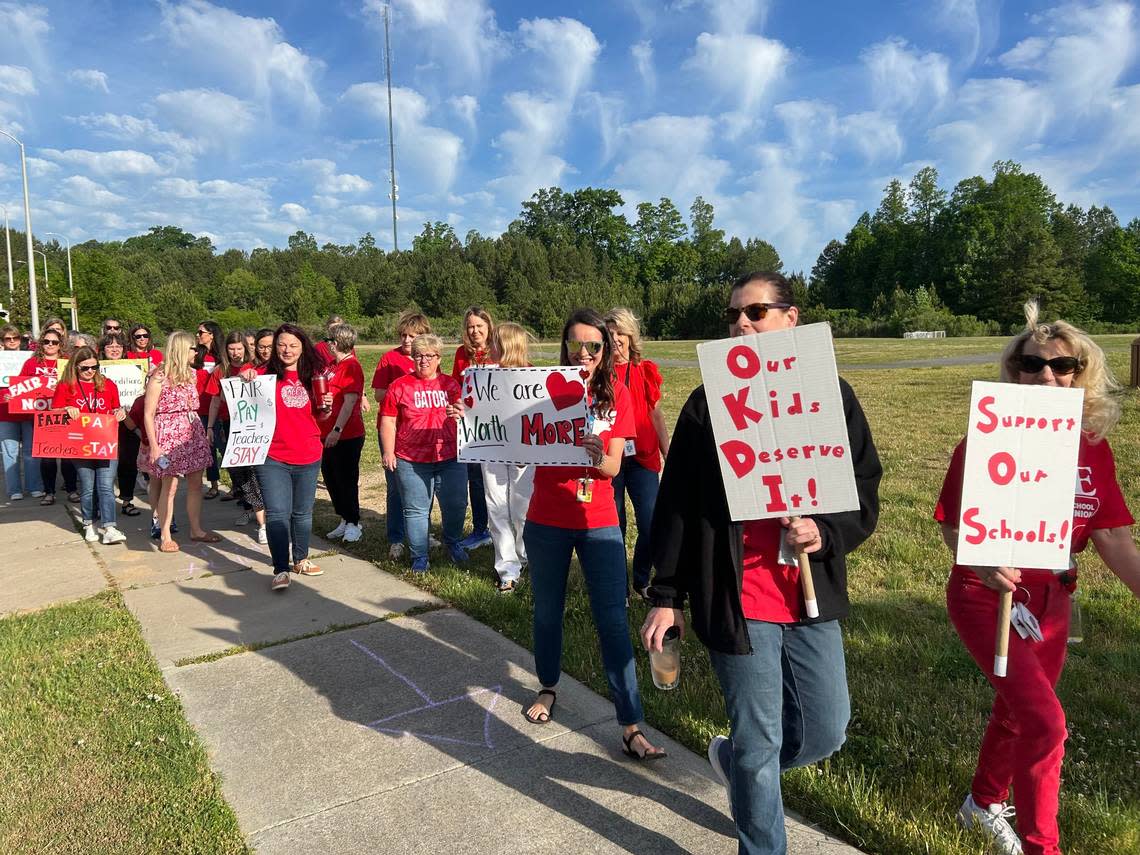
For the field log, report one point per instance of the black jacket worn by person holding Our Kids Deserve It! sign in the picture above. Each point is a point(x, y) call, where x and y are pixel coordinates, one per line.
point(698, 550)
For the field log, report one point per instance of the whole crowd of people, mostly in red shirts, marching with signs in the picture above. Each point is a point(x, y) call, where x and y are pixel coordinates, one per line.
point(781, 672)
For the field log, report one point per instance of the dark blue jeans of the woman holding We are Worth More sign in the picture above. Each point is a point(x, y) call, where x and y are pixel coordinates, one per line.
point(602, 556)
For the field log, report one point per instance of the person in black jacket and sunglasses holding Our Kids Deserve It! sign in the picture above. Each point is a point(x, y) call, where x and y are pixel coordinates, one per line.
point(783, 674)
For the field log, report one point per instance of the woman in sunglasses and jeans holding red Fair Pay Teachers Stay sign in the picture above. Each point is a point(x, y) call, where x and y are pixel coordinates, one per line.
point(84, 389)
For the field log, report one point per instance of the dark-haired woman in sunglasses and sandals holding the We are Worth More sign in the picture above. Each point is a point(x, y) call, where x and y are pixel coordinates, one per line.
point(572, 510)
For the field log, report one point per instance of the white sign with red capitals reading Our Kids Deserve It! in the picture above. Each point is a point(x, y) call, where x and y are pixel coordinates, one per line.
point(778, 419)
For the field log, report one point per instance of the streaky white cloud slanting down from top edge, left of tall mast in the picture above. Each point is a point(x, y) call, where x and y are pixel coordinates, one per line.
point(250, 52)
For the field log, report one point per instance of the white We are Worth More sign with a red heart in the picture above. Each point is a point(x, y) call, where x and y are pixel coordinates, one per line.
point(524, 417)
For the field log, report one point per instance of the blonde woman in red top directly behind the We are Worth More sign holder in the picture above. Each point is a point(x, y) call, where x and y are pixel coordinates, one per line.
point(641, 465)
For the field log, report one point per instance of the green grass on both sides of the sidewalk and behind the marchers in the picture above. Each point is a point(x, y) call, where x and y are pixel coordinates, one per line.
point(104, 761)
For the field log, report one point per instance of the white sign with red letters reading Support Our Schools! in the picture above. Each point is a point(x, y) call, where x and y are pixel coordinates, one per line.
point(1021, 469)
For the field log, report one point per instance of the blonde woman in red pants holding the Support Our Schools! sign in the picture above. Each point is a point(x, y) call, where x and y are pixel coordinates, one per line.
point(1025, 738)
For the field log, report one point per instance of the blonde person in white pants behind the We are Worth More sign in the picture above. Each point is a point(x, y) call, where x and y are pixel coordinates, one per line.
point(508, 487)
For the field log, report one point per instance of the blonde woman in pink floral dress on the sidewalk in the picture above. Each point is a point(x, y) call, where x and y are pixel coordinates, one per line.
point(178, 447)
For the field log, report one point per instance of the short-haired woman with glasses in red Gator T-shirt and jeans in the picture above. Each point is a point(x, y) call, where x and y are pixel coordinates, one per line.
point(418, 439)
